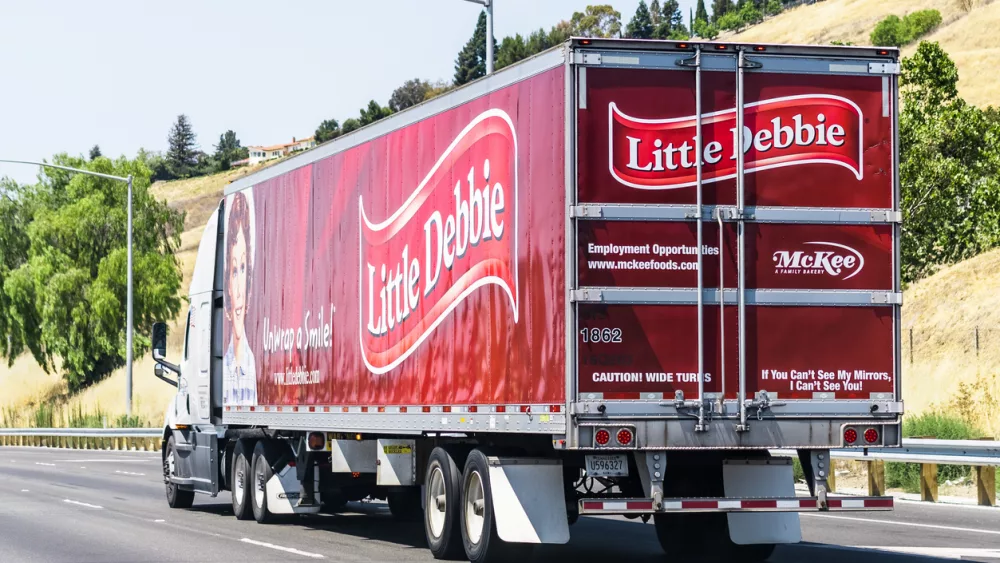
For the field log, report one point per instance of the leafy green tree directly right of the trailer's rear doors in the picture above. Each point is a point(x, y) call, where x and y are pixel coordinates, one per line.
point(949, 167)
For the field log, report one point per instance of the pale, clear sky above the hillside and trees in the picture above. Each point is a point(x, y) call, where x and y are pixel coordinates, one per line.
point(117, 73)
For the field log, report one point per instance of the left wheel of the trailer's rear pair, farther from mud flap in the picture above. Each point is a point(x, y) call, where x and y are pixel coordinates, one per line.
point(441, 498)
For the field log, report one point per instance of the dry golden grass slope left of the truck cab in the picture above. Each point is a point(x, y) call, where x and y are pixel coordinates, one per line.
point(24, 385)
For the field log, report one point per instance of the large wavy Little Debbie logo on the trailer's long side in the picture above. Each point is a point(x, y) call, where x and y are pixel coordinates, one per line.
point(455, 233)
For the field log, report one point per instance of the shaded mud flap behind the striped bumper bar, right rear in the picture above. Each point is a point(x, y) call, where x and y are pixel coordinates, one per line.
point(756, 479)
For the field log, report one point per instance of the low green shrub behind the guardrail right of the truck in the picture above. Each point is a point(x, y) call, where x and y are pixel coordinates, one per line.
point(937, 425)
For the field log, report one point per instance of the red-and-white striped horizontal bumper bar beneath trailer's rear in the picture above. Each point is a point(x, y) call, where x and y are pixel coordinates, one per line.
point(690, 505)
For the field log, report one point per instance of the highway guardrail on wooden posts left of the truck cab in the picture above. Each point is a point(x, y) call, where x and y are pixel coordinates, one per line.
point(140, 439)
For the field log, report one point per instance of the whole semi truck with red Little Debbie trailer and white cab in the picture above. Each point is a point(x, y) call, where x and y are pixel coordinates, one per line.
point(610, 279)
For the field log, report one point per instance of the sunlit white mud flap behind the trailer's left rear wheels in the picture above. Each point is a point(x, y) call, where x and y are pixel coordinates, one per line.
point(528, 500)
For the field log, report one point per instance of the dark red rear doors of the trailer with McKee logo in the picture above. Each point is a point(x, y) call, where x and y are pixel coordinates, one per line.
point(763, 280)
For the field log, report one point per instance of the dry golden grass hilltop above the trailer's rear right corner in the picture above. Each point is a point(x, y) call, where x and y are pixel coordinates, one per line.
point(970, 38)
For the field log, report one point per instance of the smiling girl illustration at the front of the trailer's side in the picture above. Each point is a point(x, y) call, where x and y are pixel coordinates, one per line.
point(239, 366)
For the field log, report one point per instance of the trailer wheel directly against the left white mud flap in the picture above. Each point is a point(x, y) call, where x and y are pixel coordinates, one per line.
point(479, 530)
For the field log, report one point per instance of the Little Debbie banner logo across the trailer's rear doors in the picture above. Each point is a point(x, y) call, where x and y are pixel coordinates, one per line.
point(659, 154)
